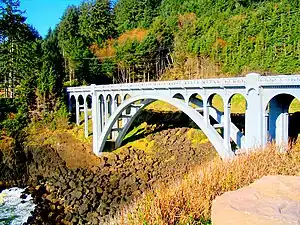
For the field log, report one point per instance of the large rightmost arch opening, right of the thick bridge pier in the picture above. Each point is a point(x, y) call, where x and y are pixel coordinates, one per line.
point(281, 119)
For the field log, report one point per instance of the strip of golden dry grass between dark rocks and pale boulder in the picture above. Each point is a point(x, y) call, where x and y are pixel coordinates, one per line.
point(189, 201)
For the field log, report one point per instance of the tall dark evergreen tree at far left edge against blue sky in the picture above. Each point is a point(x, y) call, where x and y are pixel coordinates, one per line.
point(16, 41)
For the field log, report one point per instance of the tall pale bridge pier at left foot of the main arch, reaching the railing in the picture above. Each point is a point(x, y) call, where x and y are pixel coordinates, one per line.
point(95, 119)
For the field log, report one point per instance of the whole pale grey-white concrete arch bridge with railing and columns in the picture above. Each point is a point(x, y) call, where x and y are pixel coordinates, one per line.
point(115, 107)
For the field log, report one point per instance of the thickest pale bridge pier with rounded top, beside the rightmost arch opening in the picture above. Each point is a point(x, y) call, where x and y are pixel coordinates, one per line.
point(254, 114)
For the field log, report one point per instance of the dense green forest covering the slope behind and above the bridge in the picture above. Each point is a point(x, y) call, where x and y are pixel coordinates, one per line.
point(100, 42)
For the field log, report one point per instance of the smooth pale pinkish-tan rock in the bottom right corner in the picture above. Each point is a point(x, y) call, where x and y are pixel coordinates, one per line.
point(272, 200)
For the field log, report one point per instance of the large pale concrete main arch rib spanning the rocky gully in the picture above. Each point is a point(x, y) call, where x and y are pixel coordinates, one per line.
point(207, 129)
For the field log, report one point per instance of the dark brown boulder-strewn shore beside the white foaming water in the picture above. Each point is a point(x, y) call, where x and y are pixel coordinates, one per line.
point(90, 196)
